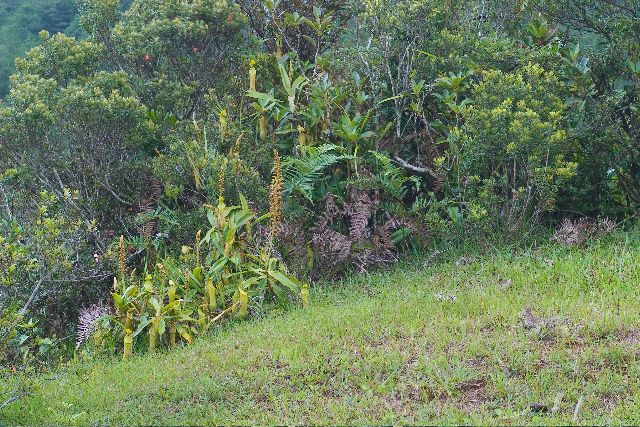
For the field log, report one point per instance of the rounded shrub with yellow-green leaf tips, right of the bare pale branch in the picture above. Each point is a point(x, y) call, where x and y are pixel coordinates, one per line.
point(513, 152)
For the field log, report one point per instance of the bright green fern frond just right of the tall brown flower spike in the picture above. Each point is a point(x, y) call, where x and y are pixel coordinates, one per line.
point(303, 174)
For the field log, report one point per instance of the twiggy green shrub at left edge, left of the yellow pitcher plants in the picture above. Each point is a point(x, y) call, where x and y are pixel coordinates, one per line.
point(42, 271)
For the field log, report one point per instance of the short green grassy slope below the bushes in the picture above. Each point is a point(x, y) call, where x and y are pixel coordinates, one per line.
point(390, 349)
